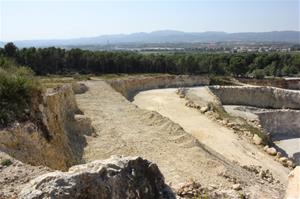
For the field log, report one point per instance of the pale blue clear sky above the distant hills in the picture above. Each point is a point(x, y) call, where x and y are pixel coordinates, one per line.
point(29, 20)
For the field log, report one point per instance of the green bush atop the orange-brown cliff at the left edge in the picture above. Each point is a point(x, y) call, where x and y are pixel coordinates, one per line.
point(17, 86)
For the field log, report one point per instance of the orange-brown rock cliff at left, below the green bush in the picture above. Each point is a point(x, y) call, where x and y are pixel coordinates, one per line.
point(53, 138)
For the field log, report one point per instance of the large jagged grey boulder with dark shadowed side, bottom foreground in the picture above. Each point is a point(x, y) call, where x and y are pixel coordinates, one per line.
point(117, 177)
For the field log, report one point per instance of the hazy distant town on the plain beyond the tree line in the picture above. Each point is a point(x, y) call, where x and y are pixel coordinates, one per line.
point(226, 47)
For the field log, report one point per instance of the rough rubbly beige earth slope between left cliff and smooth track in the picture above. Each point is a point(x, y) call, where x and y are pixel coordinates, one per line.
point(123, 129)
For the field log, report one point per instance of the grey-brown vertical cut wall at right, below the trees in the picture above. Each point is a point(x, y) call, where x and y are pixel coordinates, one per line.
point(262, 97)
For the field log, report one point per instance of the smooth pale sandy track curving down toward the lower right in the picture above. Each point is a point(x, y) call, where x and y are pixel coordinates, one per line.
point(207, 131)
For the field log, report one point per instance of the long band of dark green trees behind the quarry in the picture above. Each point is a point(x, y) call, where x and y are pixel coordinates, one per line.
point(60, 61)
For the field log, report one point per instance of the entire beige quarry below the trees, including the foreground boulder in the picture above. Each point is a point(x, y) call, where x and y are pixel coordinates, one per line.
point(160, 136)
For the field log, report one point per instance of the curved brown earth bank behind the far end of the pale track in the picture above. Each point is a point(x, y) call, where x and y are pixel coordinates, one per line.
point(128, 87)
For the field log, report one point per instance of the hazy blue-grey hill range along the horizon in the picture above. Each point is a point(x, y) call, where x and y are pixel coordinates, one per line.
point(170, 36)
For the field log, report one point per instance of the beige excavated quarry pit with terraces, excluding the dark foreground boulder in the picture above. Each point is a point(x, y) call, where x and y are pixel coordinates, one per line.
point(190, 129)
